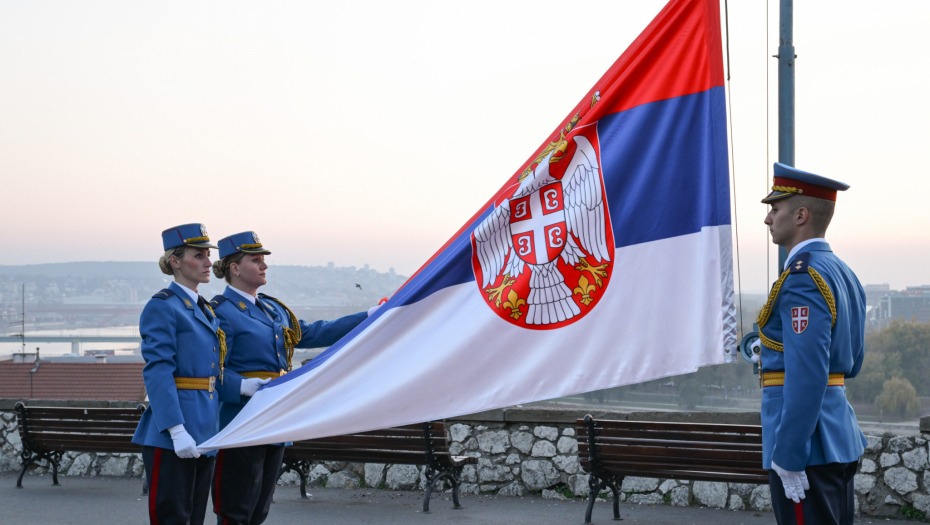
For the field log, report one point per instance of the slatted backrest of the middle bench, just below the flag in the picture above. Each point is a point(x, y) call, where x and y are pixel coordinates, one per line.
point(407, 444)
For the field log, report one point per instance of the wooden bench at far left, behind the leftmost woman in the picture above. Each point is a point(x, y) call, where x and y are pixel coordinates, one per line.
point(49, 432)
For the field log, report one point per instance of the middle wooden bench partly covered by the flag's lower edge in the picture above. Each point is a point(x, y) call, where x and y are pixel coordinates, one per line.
point(420, 444)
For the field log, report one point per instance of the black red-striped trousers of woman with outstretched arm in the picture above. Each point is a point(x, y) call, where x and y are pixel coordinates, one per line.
point(244, 483)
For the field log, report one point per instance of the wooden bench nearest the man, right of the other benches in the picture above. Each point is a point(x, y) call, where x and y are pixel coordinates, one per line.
point(611, 450)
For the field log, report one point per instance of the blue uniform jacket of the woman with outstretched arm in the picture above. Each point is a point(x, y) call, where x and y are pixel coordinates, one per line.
point(256, 343)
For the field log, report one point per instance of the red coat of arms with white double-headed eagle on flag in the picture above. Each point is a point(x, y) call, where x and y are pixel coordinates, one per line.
point(542, 258)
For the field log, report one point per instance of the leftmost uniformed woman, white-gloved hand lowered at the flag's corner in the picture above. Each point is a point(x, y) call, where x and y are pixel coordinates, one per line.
point(183, 347)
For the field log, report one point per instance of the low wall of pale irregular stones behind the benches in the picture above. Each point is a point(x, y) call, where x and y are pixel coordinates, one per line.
point(525, 451)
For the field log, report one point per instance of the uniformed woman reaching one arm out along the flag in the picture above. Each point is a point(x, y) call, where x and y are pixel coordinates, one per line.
point(261, 335)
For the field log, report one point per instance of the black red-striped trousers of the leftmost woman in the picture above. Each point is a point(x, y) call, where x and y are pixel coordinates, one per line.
point(178, 488)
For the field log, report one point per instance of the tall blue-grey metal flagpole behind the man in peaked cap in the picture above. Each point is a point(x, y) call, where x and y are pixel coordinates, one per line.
point(786, 59)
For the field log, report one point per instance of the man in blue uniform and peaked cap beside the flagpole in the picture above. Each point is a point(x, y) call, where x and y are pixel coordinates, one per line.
point(812, 330)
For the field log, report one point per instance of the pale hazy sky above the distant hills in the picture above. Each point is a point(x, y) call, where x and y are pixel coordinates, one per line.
point(358, 132)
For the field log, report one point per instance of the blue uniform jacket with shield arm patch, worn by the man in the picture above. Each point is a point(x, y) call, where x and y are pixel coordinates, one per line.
point(806, 422)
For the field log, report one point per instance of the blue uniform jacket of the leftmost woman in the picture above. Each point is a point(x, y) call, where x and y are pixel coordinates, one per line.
point(178, 340)
